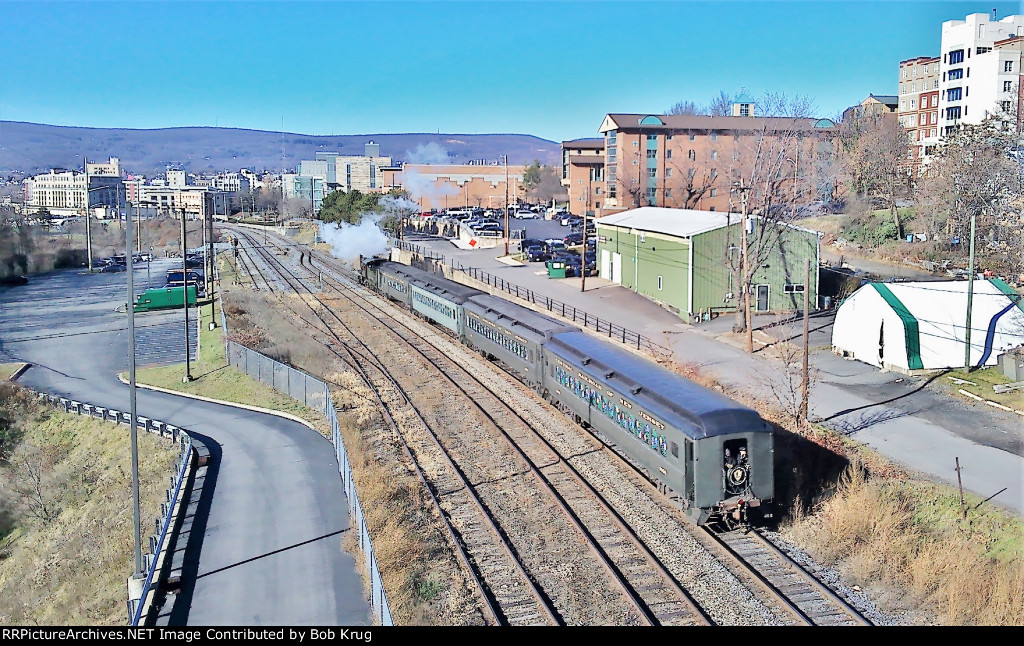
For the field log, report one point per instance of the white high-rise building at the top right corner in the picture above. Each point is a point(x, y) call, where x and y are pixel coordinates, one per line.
point(980, 69)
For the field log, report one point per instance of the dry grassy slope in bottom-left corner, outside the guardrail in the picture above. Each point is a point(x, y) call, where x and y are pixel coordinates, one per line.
point(67, 537)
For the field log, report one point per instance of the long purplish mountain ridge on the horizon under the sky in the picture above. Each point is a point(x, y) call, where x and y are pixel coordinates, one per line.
point(30, 149)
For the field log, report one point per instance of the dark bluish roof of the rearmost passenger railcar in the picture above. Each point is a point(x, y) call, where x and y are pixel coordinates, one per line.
point(698, 411)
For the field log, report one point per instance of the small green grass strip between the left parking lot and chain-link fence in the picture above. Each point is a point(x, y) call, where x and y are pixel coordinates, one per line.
point(214, 378)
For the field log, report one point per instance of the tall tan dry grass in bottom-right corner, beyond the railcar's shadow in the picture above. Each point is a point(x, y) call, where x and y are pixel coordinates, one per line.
point(914, 537)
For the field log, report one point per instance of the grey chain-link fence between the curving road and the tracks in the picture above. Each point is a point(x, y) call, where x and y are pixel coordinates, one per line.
point(316, 395)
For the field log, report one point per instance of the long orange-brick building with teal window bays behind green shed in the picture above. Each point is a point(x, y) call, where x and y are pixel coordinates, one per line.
point(692, 161)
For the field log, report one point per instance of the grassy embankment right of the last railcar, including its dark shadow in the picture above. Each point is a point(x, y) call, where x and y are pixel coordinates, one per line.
point(899, 536)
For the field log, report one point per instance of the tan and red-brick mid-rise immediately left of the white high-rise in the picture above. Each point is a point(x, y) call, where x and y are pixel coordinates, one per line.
point(919, 107)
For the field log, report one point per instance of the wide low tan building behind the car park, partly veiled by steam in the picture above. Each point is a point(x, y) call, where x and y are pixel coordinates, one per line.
point(449, 187)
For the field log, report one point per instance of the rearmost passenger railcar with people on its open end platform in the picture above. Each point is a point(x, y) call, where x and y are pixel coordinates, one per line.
point(715, 455)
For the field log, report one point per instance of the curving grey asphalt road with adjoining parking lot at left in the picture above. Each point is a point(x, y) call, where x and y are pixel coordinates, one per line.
point(271, 552)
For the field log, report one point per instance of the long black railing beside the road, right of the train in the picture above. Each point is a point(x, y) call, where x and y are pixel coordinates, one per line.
point(583, 318)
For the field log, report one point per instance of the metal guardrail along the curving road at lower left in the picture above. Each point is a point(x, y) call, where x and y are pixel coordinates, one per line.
point(163, 525)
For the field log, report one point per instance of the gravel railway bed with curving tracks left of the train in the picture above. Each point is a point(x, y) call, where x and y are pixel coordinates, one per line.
point(550, 525)
